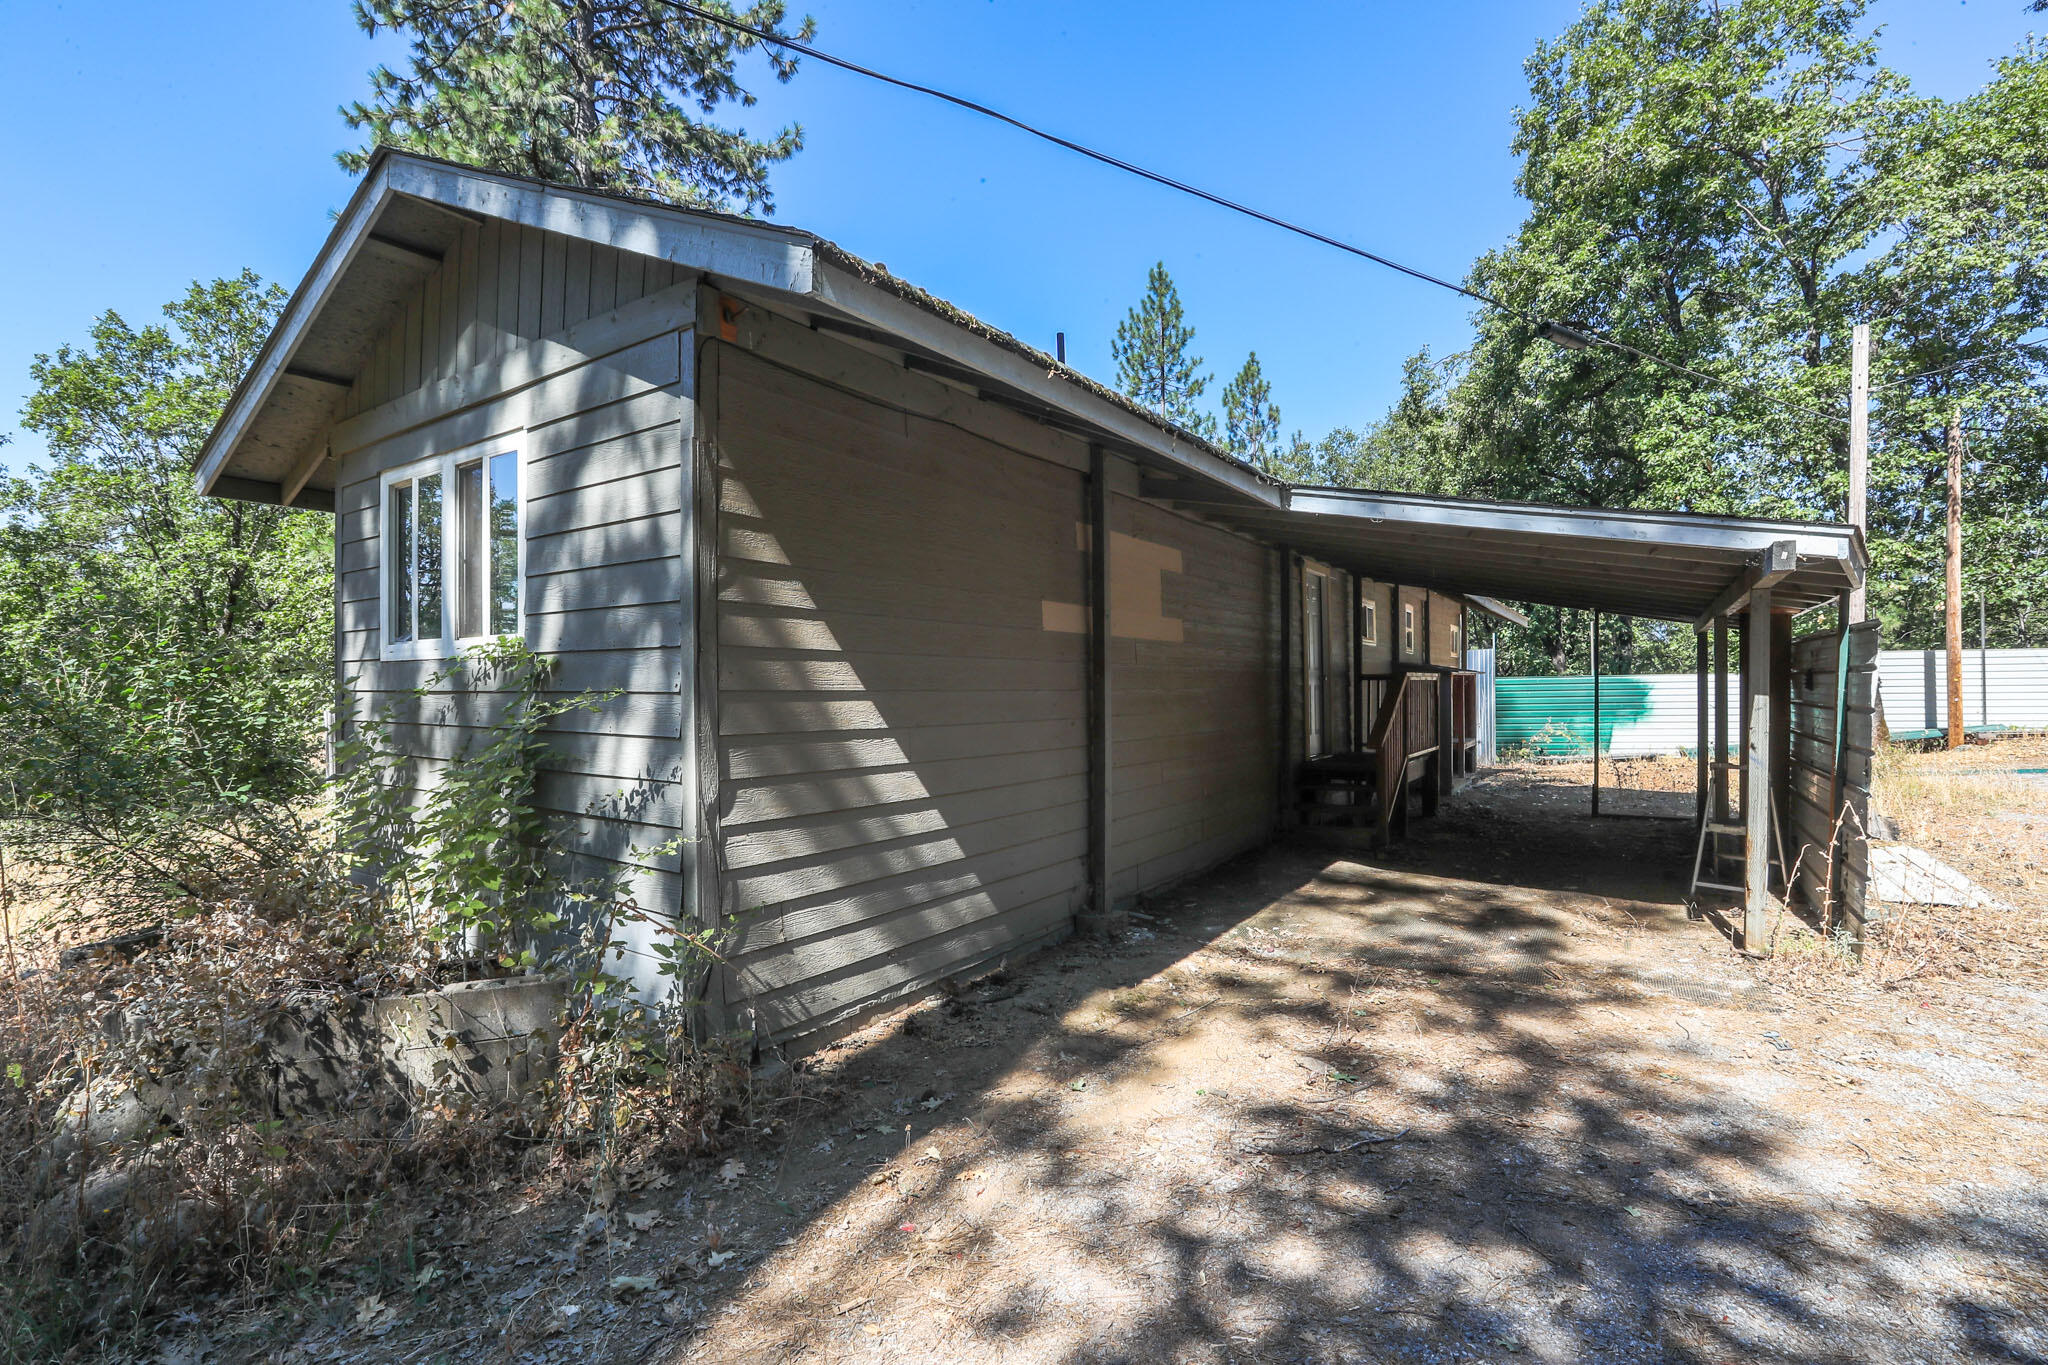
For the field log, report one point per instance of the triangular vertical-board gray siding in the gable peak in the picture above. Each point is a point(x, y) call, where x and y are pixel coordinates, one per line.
point(499, 288)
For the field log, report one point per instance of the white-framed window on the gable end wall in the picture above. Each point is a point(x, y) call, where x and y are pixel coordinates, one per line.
point(454, 549)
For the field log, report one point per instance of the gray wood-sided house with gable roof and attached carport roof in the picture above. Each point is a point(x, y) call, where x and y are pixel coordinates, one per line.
point(925, 646)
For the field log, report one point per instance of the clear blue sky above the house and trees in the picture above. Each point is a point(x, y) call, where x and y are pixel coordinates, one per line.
point(151, 144)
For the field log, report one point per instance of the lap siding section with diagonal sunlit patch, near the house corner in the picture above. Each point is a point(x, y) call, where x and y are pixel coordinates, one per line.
point(902, 742)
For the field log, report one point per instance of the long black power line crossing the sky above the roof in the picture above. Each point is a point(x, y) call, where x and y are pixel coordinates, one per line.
point(1572, 339)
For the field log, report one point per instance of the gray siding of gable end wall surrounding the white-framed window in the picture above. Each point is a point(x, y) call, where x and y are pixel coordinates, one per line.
point(605, 466)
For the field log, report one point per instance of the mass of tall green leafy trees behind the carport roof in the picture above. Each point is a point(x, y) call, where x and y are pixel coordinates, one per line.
point(1734, 187)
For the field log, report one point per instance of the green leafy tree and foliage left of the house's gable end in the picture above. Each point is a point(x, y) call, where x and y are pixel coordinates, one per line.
point(163, 656)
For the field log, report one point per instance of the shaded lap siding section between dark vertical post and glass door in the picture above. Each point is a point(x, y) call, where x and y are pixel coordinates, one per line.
point(1193, 723)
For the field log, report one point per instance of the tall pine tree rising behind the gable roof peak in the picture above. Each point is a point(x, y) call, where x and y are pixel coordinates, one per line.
point(609, 95)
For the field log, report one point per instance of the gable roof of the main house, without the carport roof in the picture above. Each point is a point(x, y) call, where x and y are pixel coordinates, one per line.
point(411, 210)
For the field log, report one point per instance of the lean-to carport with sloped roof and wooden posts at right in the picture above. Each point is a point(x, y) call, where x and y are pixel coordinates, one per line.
point(1781, 803)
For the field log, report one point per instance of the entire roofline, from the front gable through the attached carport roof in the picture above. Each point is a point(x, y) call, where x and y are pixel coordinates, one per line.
point(269, 445)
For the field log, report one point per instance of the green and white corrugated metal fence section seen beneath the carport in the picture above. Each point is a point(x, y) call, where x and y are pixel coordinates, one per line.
point(1639, 715)
